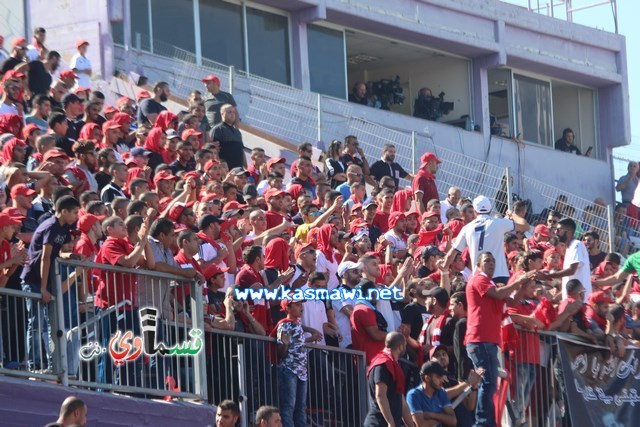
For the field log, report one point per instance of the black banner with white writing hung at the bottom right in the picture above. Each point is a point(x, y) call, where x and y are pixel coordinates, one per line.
point(602, 388)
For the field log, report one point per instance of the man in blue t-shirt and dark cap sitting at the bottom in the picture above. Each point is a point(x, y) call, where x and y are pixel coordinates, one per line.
point(429, 403)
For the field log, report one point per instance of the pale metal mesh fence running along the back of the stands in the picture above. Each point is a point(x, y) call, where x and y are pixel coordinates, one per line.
point(296, 116)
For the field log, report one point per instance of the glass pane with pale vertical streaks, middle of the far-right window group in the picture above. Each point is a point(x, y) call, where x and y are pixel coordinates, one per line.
point(533, 110)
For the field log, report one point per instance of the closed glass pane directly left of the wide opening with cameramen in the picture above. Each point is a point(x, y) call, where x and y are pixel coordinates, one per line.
point(327, 61)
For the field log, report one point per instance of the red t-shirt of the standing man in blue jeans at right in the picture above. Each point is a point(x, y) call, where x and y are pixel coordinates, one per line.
point(484, 314)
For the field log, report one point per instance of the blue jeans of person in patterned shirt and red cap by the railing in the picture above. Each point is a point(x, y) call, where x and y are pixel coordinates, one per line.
point(293, 398)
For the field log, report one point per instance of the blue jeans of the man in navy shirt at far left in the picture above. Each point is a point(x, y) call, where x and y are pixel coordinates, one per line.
point(38, 332)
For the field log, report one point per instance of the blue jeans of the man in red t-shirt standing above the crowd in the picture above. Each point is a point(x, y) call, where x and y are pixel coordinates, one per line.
point(485, 355)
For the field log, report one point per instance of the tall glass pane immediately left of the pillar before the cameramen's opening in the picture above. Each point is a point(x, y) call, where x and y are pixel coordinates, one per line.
point(268, 35)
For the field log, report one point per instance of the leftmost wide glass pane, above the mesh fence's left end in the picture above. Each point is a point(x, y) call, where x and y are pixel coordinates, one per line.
point(173, 25)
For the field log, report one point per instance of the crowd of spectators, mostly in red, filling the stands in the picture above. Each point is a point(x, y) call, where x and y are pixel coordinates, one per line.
point(136, 186)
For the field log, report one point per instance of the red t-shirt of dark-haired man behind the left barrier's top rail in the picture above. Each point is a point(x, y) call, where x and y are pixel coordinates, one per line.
point(115, 287)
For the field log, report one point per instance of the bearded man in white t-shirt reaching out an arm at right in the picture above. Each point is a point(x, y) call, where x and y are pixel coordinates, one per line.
point(576, 259)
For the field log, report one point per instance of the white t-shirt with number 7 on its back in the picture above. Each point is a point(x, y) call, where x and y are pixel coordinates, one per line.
point(486, 234)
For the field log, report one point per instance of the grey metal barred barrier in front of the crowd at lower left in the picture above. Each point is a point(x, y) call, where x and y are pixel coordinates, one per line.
point(154, 343)
